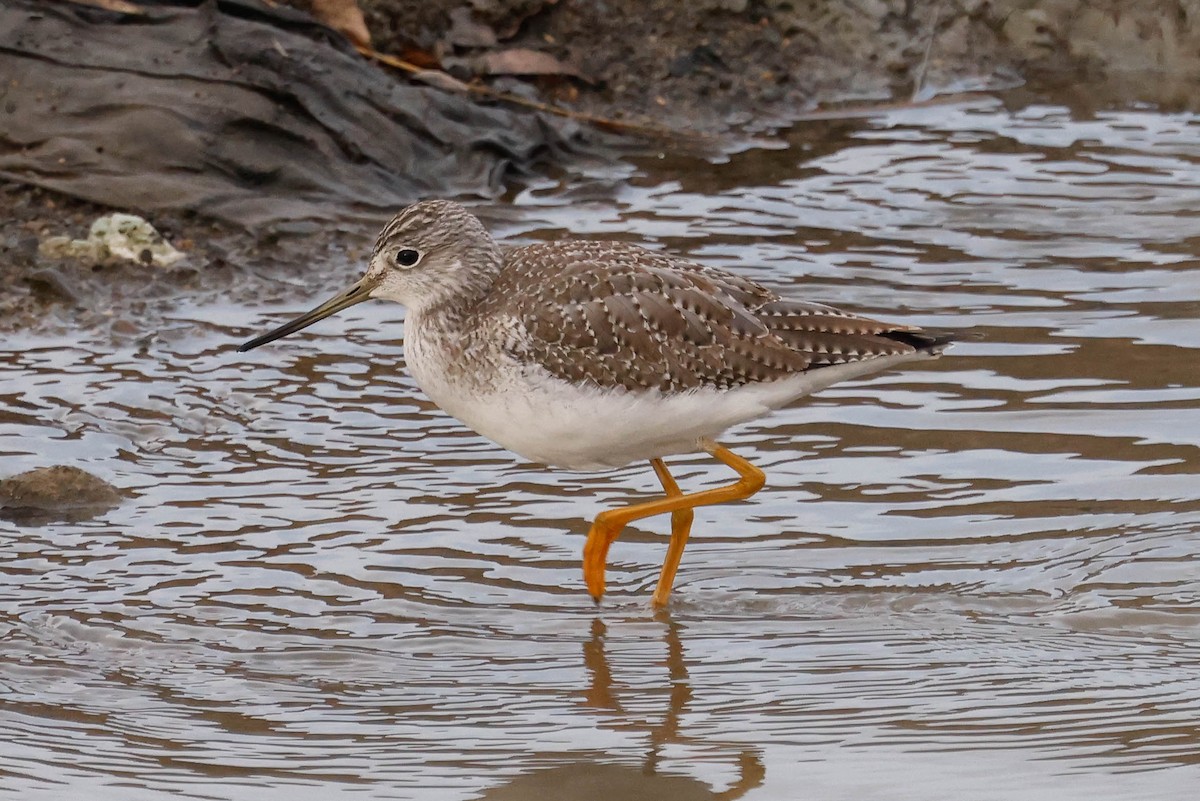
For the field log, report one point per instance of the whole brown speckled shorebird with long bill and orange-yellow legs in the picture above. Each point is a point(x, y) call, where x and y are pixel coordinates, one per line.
point(592, 356)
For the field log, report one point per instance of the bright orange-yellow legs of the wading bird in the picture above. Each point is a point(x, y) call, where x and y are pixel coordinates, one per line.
point(609, 525)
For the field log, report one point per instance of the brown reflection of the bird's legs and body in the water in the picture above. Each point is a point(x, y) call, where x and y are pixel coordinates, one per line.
point(586, 780)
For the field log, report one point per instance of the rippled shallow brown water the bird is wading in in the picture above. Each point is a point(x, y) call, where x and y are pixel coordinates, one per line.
point(976, 579)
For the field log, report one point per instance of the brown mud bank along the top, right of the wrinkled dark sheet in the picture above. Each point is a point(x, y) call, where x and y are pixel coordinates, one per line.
point(721, 65)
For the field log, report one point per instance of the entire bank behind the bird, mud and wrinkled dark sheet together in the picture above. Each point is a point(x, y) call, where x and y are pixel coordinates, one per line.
point(256, 140)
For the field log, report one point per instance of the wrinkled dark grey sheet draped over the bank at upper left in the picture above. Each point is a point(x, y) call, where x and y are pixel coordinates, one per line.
point(238, 112)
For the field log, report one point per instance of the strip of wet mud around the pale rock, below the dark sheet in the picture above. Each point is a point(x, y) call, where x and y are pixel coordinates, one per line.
point(129, 302)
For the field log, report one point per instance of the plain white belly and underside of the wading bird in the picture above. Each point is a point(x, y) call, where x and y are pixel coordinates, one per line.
point(554, 423)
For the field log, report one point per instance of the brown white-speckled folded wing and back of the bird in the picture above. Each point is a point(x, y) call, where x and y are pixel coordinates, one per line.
point(617, 316)
